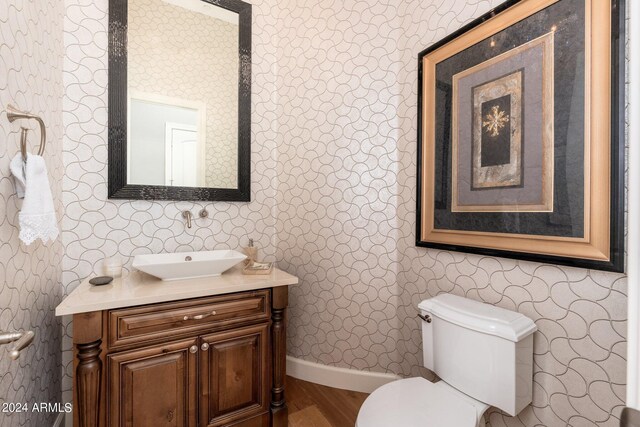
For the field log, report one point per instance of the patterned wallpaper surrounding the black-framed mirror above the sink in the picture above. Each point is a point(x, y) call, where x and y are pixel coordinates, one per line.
point(94, 227)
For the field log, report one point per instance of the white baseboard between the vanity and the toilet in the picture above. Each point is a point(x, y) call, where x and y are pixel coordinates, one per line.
point(347, 379)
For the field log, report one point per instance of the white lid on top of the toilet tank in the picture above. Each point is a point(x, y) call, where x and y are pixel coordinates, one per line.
point(478, 316)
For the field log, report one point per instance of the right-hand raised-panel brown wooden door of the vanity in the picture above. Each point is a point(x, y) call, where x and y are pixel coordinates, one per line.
point(234, 375)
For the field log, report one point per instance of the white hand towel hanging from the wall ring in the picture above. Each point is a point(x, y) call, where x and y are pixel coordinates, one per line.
point(37, 217)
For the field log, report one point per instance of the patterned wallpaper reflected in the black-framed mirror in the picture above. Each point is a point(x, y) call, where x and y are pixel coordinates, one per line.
point(209, 48)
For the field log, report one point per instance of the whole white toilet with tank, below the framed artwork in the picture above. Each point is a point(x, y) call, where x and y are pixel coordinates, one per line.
point(484, 357)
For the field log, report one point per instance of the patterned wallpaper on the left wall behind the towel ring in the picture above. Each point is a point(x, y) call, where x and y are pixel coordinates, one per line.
point(30, 79)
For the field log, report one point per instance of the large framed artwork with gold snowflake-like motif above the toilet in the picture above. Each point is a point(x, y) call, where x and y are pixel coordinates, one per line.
point(521, 135)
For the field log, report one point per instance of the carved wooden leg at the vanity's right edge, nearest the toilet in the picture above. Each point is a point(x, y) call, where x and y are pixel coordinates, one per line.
point(279, 411)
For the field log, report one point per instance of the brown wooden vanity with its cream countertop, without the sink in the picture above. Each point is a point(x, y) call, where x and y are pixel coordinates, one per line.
point(196, 352)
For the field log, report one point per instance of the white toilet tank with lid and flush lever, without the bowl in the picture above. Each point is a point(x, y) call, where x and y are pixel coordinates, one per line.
point(482, 350)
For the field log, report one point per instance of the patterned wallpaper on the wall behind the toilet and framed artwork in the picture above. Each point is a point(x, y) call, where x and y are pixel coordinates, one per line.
point(346, 218)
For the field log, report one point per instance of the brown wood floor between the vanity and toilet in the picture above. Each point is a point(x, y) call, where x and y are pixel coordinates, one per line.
point(314, 405)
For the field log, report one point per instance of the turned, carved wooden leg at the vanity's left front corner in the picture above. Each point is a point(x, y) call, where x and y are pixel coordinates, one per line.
point(88, 383)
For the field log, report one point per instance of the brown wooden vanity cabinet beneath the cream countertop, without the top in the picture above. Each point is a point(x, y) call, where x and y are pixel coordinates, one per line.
point(102, 386)
